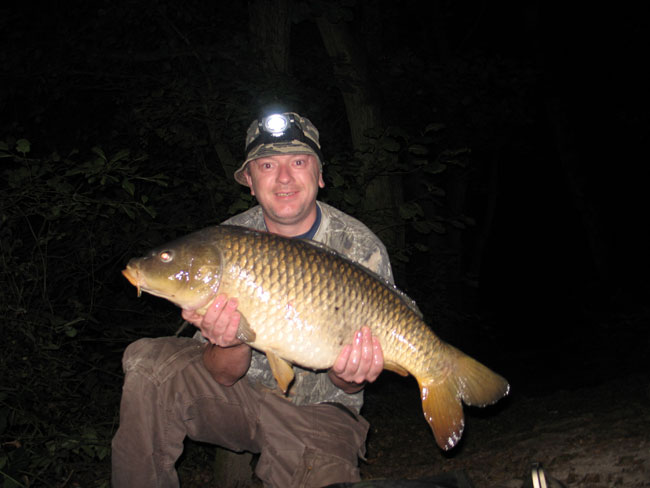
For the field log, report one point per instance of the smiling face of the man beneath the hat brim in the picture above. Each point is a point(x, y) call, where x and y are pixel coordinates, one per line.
point(286, 186)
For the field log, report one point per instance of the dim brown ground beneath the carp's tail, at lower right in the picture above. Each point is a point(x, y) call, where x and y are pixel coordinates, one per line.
point(591, 436)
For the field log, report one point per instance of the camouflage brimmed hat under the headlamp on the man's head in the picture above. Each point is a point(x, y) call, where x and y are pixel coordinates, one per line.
point(293, 146)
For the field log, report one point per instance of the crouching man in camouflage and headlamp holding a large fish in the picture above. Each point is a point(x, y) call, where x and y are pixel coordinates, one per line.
point(217, 389)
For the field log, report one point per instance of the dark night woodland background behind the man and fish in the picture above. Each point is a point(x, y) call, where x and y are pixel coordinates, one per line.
point(121, 122)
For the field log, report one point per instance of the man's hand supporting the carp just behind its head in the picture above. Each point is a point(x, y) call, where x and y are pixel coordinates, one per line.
point(220, 323)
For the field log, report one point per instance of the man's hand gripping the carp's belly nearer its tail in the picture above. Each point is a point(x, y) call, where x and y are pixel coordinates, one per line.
point(358, 363)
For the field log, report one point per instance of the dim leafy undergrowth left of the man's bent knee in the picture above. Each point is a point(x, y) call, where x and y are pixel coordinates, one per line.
point(67, 224)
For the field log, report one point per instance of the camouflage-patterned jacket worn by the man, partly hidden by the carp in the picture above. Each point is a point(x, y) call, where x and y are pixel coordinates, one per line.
point(352, 239)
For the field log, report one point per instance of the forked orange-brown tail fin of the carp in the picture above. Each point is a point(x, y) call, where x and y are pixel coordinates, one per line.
point(465, 380)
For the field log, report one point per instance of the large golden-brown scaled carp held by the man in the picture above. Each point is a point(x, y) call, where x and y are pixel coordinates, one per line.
point(300, 302)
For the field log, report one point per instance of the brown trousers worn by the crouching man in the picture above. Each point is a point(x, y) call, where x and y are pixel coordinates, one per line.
point(168, 394)
